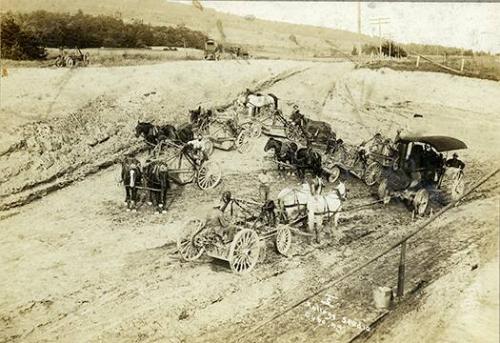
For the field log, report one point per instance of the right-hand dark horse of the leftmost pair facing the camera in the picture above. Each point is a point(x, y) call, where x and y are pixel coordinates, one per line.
point(157, 179)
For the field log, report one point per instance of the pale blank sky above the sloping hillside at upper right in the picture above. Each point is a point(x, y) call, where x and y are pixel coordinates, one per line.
point(464, 25)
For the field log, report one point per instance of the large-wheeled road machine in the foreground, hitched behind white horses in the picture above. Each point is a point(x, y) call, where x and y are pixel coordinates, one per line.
point(242, 242)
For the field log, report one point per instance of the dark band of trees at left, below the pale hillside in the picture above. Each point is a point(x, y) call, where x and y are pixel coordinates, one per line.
point(26, 35)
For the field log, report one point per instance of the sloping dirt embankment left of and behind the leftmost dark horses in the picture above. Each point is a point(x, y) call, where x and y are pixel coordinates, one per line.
point(95, 131)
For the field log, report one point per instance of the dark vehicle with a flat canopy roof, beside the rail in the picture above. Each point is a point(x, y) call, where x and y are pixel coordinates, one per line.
point(421, 171)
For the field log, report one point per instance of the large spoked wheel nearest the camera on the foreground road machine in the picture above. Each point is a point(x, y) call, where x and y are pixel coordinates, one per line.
point(244, 251)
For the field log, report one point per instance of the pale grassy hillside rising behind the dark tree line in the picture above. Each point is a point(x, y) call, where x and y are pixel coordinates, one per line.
point(258, 36)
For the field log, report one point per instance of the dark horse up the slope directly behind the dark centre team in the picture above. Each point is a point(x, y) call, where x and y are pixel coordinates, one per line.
point(315, 130)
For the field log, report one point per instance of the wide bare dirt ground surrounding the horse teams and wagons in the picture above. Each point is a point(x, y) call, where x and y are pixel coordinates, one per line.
point(78, 267)
